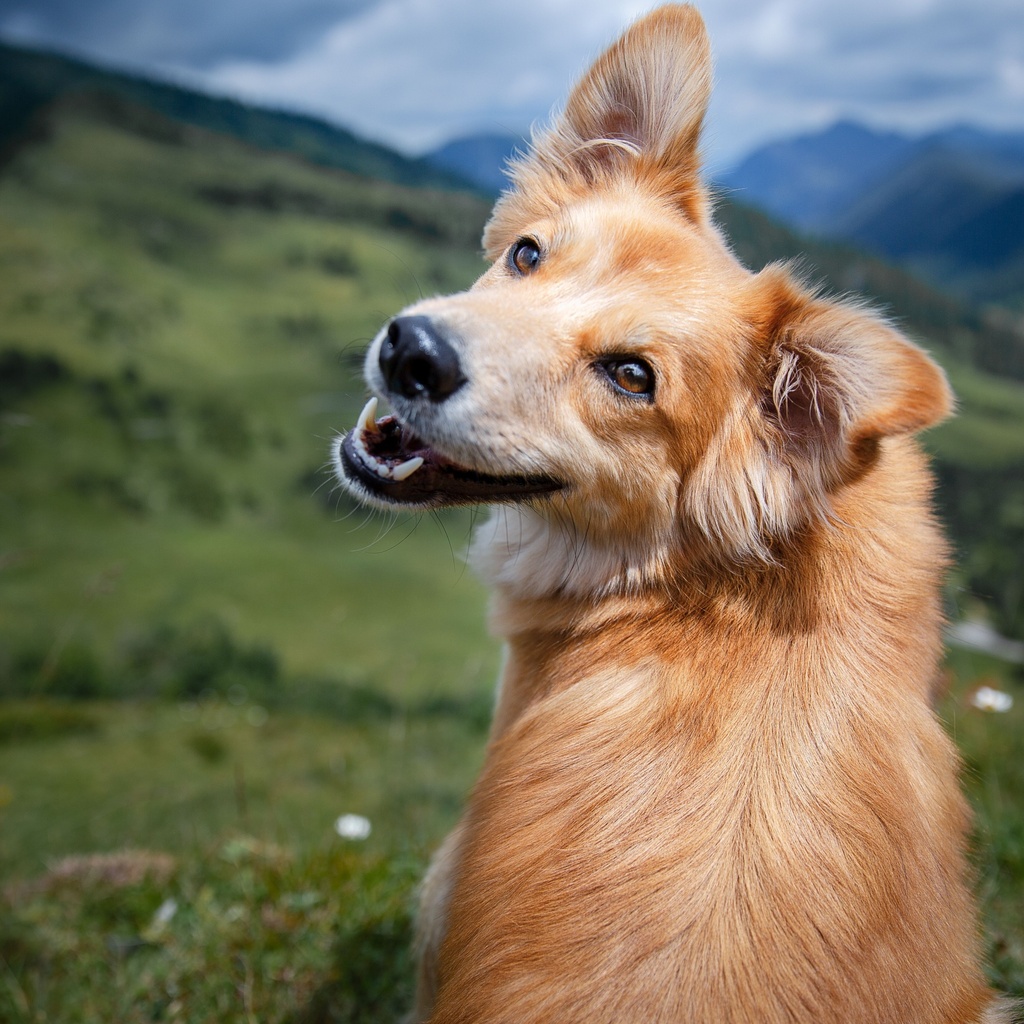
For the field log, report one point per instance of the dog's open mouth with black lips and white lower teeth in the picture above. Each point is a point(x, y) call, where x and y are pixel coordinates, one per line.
point(392, 463)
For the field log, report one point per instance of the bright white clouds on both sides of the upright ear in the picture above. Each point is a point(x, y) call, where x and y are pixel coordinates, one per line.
point(415, 73)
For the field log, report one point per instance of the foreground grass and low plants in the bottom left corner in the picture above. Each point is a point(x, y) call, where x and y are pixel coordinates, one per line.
point(248, 932)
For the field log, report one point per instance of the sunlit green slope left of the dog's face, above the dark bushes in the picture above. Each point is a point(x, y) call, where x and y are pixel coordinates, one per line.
point(162, 309)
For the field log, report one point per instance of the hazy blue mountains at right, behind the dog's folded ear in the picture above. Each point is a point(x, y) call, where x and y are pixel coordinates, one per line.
point(948, 205)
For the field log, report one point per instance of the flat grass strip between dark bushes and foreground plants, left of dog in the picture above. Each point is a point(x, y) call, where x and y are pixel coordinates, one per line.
point(179, 779)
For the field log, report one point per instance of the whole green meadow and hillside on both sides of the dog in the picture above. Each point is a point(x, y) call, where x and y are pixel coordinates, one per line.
point(207, 655)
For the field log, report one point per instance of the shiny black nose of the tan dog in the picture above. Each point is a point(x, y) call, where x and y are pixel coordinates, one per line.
point(417, 362)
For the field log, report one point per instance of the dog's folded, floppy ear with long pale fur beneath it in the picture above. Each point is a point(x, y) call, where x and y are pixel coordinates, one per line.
point(831, 382)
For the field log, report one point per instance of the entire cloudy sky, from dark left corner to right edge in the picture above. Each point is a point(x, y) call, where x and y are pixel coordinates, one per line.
point(417, 73)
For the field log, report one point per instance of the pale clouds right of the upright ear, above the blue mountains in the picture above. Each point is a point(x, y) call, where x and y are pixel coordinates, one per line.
point(910, 65)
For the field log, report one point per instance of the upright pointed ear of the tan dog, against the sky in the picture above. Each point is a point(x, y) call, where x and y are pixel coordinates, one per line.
point(642, 106)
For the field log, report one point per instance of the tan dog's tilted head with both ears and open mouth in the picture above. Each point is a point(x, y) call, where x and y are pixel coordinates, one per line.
point(617, 372)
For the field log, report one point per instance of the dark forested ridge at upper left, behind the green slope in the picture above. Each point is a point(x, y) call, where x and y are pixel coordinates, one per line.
point(31, 79)
